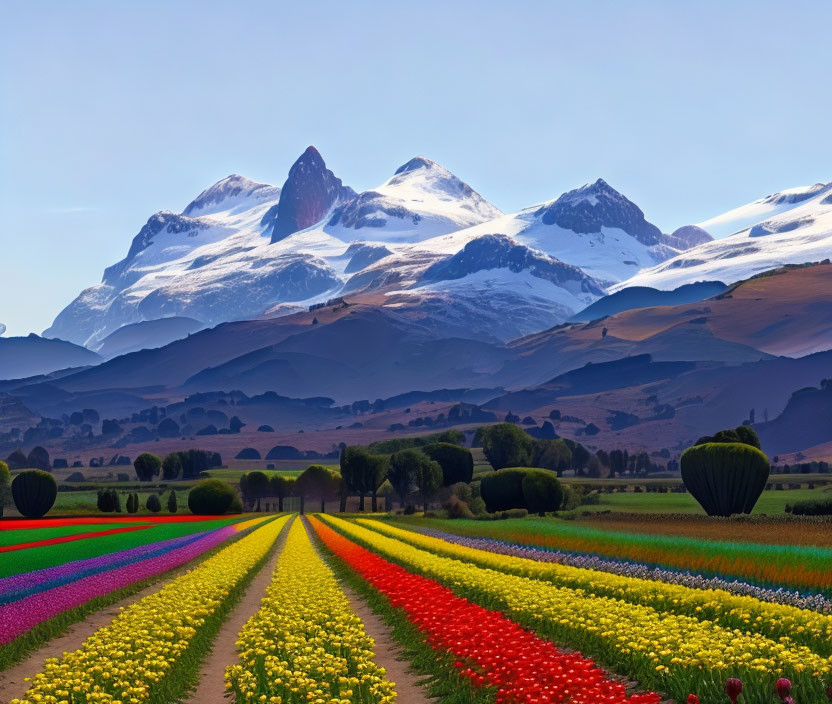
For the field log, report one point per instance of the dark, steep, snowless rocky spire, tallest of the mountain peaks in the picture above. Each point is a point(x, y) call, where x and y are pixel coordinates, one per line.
point(310, 192)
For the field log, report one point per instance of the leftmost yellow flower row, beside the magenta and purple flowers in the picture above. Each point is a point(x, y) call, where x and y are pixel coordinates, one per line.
point(135, 658)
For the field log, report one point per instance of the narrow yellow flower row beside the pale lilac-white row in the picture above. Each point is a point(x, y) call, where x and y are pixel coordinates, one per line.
point(729, 610)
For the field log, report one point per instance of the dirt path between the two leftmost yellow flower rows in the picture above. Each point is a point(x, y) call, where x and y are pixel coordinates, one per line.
point(211, 685)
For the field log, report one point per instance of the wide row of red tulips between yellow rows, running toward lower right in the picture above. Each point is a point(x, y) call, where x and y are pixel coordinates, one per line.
point(490, 649)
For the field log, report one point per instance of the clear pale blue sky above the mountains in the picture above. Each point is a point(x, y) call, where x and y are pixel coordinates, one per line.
point(110, 111)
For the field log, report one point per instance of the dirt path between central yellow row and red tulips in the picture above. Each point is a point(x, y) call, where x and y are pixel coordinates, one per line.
point(388, 654)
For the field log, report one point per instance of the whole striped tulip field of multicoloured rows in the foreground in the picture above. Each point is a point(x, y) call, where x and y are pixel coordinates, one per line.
point(511, 612)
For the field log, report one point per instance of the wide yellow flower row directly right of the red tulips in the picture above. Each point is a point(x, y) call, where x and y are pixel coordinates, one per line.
point(674, 653)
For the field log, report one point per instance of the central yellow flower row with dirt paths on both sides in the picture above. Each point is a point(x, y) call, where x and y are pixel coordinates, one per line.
point(305, 644)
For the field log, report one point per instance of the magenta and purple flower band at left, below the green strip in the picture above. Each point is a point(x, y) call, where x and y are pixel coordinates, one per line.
point(20, 616)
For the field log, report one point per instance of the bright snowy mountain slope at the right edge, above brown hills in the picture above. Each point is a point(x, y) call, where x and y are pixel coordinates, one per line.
point(789, 227)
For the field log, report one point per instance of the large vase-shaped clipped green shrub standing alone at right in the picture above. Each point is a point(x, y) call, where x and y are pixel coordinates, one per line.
point(725, 478)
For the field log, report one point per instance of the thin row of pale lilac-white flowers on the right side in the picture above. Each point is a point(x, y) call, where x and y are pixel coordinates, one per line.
point(814, 602)
